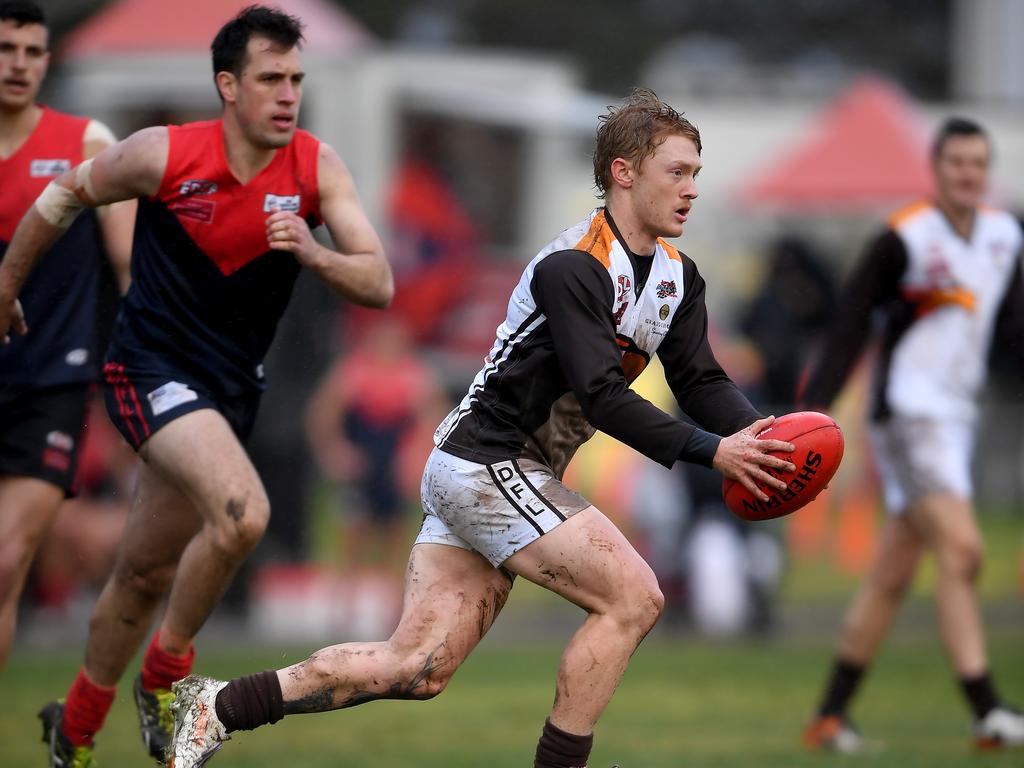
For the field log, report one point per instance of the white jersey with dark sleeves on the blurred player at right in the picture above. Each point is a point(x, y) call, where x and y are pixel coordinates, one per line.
point(942, 295)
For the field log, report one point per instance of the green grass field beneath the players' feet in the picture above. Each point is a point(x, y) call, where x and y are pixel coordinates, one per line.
point(685, 702)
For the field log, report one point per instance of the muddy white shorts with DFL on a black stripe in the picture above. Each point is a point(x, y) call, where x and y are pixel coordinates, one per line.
point(494, 509)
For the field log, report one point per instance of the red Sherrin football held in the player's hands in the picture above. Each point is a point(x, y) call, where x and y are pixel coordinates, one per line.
point(820, 451)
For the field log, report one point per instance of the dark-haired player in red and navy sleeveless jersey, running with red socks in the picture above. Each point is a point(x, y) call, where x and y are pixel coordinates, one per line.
point(225, 228)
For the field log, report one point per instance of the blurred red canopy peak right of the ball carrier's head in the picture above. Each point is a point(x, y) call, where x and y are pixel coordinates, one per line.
point(867, 149)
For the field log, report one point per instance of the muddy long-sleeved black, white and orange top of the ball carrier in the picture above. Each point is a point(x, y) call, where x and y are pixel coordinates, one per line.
point(583, 323)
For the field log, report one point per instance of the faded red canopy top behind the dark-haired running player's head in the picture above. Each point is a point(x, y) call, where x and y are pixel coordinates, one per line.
point(189, 26)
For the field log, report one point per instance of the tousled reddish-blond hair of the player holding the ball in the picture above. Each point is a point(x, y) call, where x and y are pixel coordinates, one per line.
point(634, 132)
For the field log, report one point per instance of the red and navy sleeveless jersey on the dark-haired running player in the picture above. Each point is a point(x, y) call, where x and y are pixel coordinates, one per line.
point(207, 292)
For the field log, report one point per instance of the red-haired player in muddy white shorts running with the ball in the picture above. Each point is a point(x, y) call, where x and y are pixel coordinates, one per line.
point(583, 323)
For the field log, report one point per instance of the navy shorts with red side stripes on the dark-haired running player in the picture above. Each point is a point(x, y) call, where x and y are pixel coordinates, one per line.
point(141, 403)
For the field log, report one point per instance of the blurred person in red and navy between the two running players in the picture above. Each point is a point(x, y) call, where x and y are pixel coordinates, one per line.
point(366, 412)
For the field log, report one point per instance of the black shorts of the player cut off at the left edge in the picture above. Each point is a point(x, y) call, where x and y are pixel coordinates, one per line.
point(41, 433)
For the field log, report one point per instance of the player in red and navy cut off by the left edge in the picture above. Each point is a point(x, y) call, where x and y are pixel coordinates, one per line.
point(48, 378)
